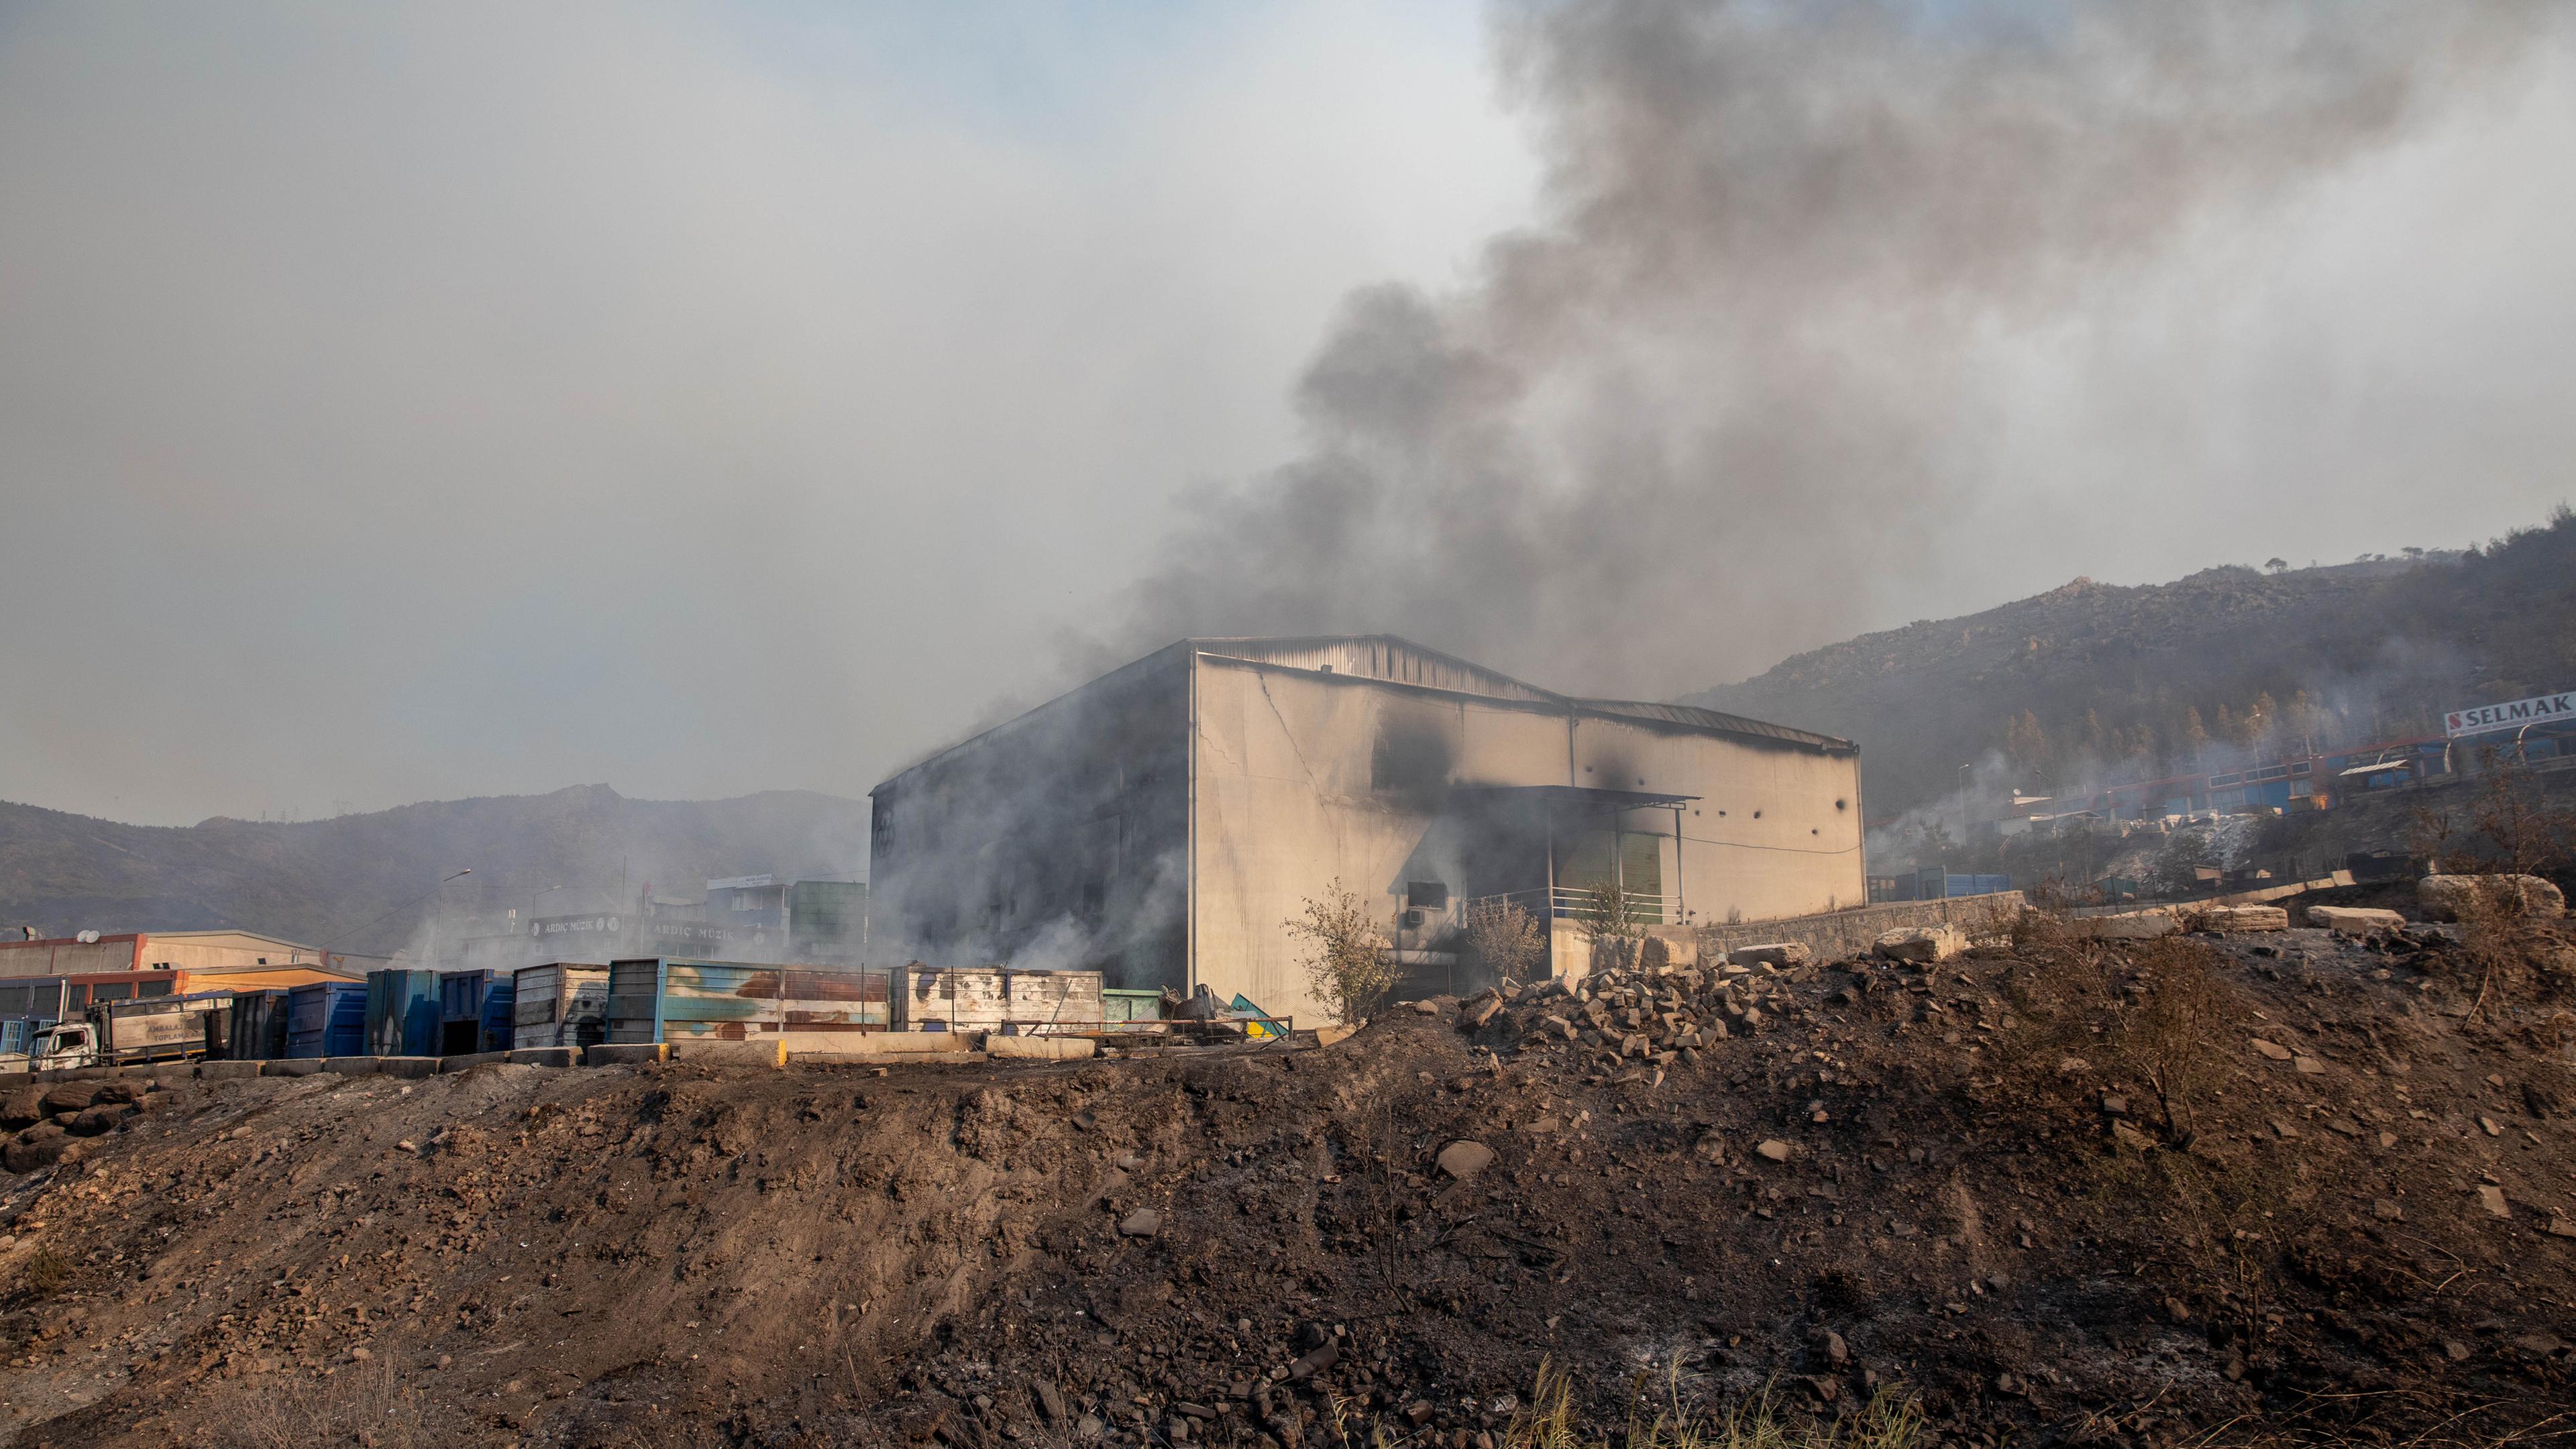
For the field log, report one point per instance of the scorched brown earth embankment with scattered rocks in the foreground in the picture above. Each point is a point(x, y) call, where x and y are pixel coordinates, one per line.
point(2054, 1192)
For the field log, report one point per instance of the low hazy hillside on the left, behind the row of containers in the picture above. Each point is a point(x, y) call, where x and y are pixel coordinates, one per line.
point(331, 880)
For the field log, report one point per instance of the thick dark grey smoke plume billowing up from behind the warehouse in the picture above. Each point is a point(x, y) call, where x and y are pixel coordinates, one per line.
point(1771, 342)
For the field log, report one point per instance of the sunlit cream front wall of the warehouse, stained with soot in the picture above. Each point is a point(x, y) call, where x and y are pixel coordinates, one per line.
point(1287, 803)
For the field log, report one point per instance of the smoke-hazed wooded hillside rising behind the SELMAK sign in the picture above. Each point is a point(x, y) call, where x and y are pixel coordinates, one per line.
point(2142, 679)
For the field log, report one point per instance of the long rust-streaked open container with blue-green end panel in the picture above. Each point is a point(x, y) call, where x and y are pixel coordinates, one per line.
point(663, 999)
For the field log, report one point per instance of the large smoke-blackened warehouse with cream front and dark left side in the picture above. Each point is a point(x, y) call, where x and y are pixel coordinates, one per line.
point(1166, 821)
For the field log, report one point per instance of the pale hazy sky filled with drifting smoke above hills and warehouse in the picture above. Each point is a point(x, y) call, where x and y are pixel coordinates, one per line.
point(429, 401)
